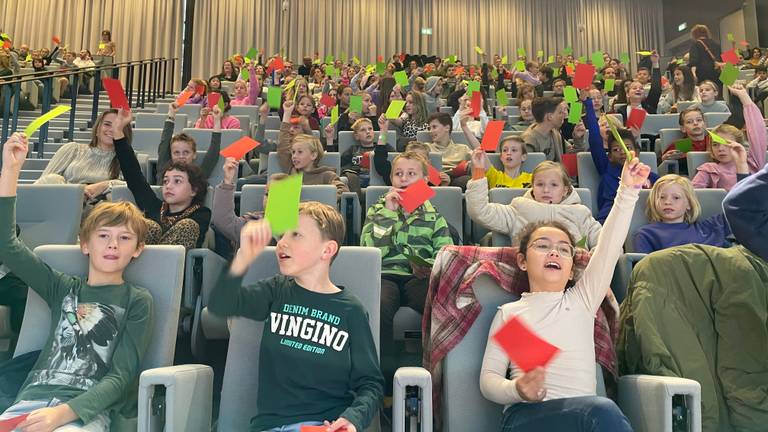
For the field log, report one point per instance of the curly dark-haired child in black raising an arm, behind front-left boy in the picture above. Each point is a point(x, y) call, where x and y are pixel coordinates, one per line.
point(180, 217)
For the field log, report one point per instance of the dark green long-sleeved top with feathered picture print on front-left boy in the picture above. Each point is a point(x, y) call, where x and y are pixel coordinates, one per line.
point(98, 335)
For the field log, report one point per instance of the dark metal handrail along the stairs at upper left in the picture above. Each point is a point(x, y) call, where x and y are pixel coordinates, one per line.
point(146, 91)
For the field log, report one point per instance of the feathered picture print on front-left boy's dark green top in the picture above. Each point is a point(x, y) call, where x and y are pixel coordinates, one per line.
point(83, 343)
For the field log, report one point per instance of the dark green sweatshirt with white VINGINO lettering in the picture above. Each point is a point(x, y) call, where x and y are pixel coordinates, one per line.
point(318, 360)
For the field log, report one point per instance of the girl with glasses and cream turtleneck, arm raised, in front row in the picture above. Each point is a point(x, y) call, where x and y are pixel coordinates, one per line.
point(562, 395)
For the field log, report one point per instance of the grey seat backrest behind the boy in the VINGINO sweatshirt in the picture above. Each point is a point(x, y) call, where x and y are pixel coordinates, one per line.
point(357, 269)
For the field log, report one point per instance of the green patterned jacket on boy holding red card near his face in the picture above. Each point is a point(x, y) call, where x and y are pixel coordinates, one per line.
point(423, 233)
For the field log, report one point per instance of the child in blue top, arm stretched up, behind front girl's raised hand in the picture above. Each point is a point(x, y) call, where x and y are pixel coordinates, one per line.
point(608, 166)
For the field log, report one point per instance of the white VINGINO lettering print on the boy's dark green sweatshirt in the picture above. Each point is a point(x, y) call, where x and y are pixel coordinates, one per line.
point(308, 329)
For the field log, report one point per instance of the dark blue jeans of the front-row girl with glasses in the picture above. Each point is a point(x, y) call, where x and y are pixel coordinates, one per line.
point(576, 414)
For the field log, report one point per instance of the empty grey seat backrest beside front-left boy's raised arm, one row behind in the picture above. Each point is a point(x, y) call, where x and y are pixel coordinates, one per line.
point(49, 214)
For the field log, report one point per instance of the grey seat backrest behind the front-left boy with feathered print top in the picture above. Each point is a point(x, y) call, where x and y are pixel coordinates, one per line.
point(159, 269)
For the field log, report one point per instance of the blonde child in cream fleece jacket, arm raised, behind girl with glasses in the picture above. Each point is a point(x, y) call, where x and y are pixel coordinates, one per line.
point(551, 198)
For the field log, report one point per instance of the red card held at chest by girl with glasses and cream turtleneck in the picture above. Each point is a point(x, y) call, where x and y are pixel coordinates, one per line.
point(524, 347)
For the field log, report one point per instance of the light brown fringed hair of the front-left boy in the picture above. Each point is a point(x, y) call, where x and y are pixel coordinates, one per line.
point(111, 214)
